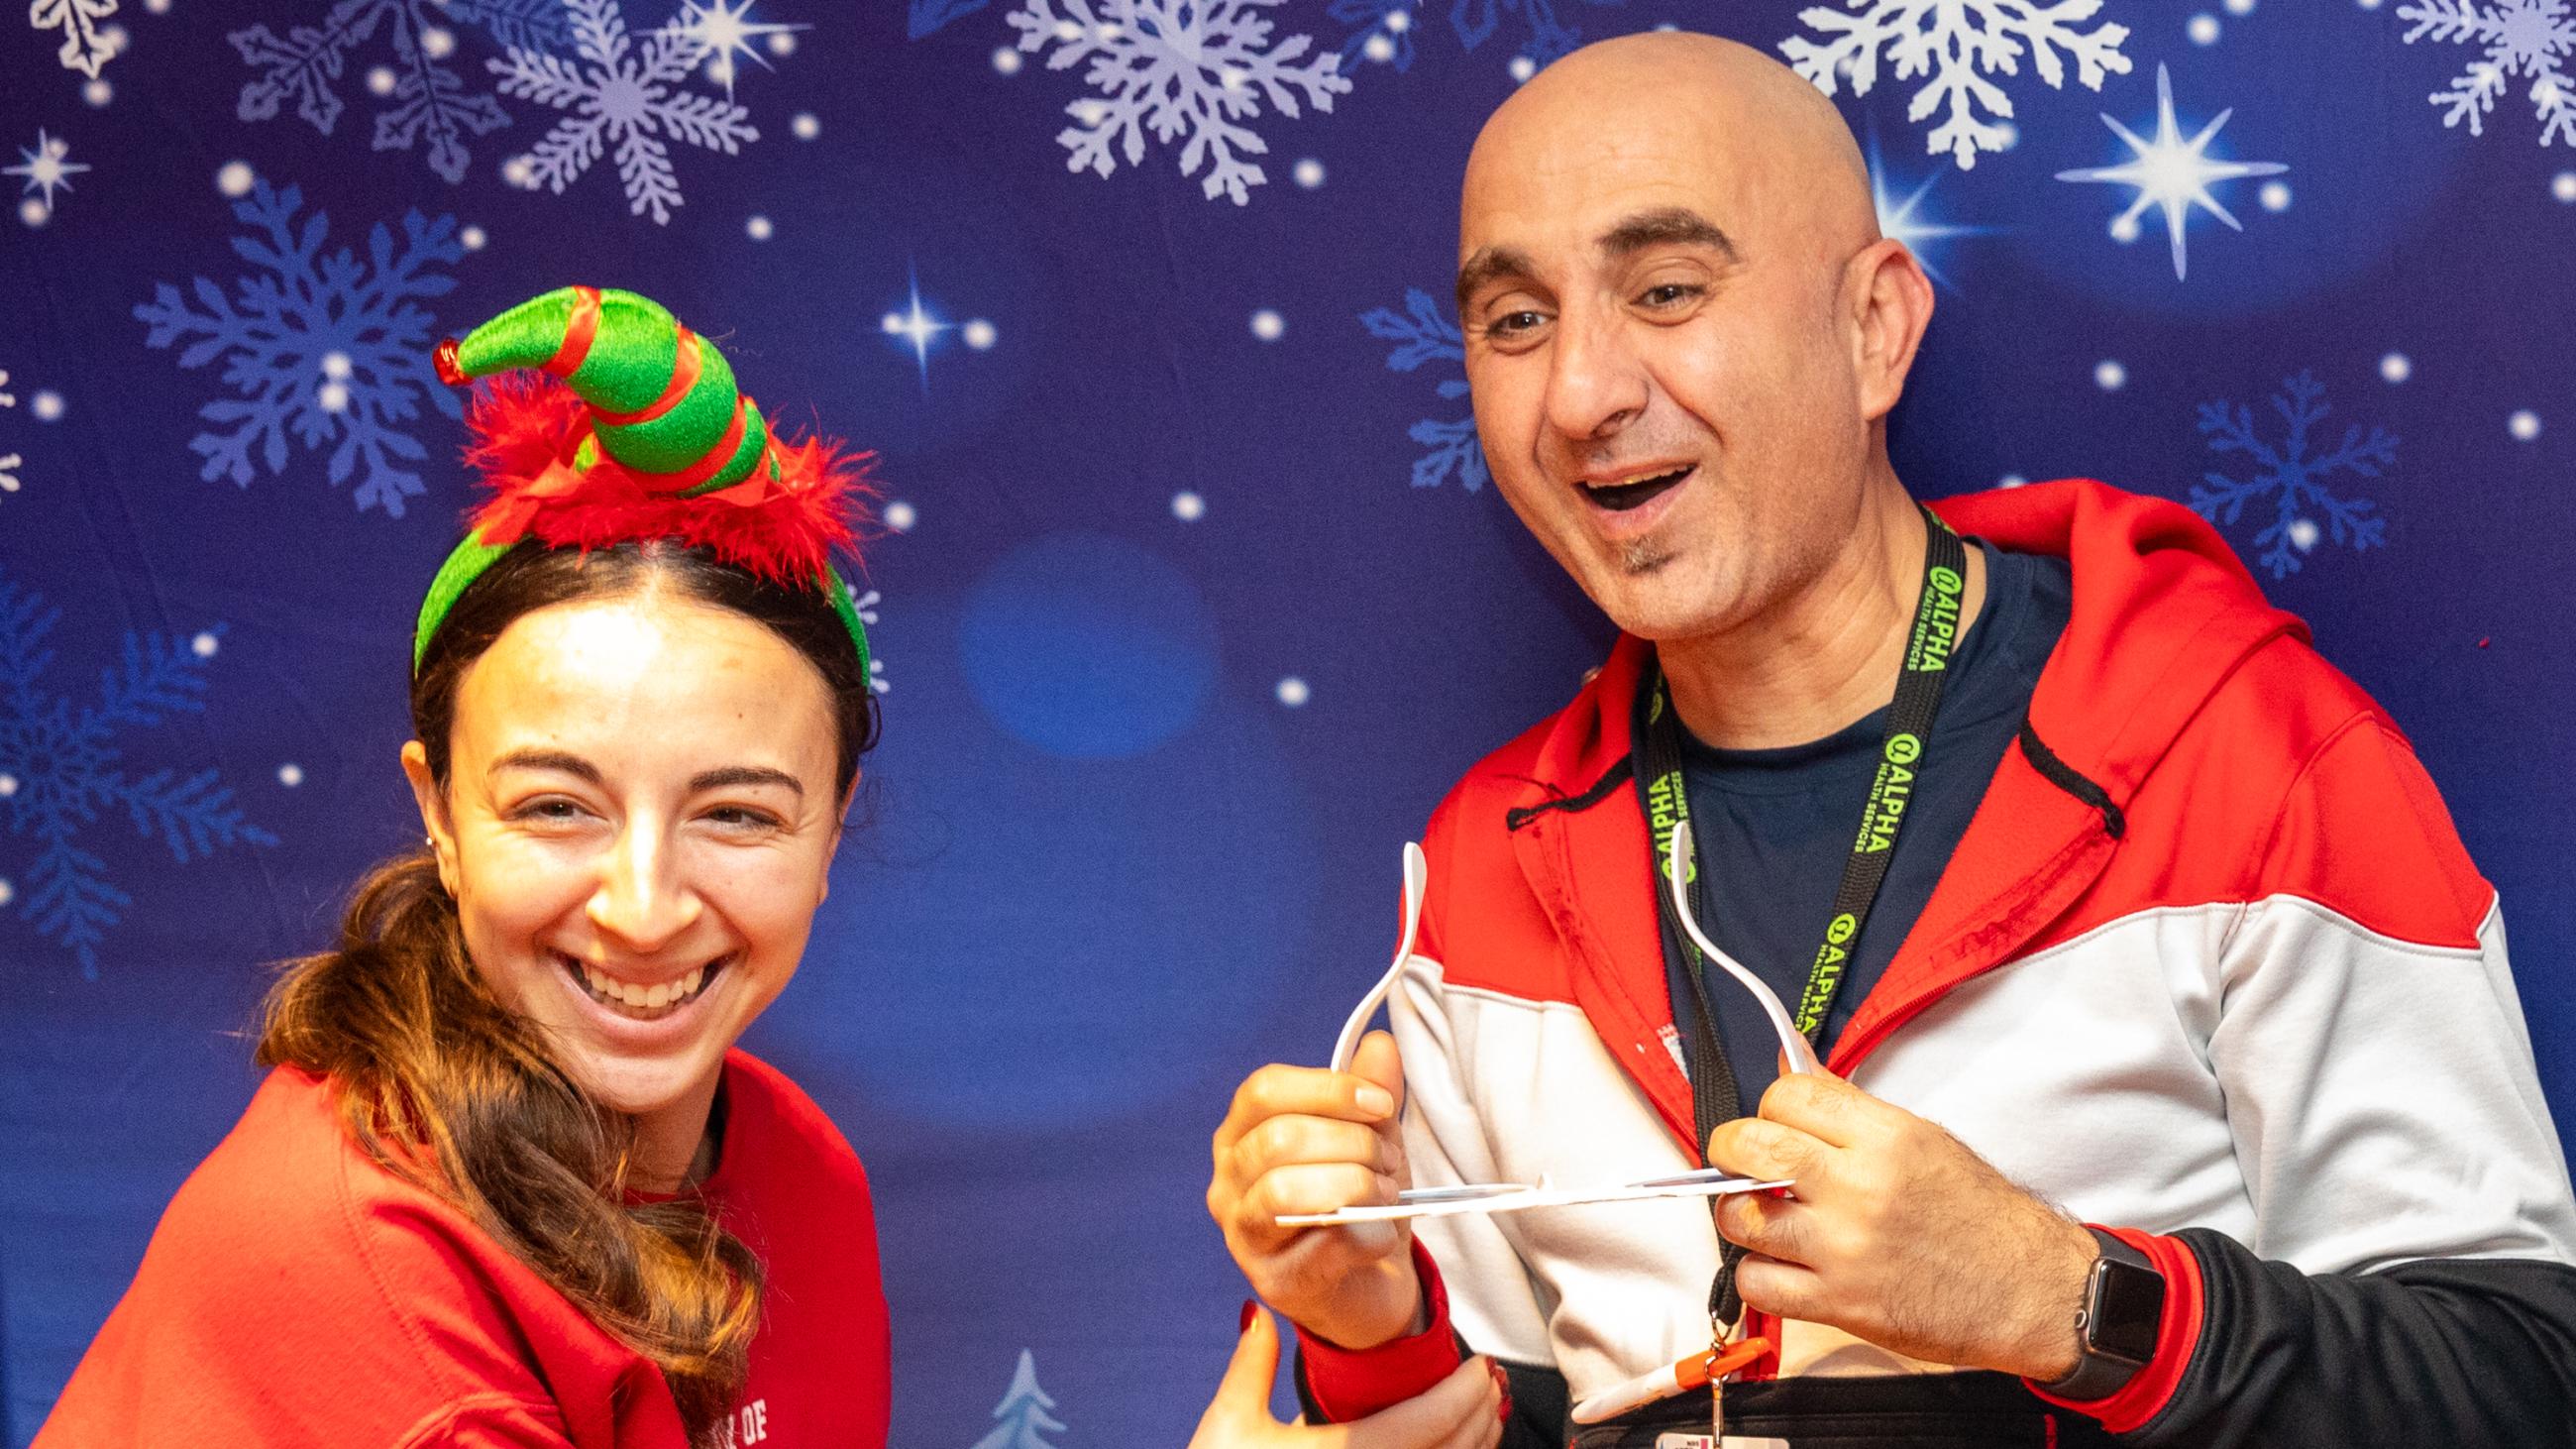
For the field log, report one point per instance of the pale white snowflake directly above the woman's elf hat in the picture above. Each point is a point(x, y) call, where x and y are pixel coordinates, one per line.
point(627, 94)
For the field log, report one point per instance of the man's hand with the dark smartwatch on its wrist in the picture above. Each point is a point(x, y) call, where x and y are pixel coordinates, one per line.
point(1900, 1234)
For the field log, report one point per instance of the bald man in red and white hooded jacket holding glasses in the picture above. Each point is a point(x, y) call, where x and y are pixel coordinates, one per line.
point(2175, 1084)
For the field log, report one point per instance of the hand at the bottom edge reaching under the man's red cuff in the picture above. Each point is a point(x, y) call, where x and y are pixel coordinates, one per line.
point(1462, 1412)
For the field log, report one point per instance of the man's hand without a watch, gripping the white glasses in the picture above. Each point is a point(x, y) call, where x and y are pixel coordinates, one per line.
point(1312, 1141)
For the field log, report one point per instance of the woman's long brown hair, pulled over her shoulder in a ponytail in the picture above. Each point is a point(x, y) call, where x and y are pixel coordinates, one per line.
point(460, 1094)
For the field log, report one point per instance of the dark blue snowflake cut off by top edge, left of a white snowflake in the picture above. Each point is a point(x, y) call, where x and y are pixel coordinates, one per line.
point(426, 99)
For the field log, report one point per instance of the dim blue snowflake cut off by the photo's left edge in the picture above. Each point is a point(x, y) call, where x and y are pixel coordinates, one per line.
point(58, 772)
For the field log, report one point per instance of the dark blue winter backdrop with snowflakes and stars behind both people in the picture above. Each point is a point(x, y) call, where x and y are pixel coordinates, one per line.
point(1194, 592)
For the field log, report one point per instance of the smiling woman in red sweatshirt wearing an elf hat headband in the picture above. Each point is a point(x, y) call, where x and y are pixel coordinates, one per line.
point(509, 1180)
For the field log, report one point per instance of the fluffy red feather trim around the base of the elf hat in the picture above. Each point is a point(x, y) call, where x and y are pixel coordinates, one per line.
point(527, 432)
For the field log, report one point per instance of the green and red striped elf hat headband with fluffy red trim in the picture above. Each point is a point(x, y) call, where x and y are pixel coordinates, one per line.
point(638, 432)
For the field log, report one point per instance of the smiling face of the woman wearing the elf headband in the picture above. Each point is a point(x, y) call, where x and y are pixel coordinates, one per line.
point(638, 826)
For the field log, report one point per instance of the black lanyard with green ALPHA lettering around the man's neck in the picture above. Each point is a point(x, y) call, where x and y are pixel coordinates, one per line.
point(1900, 762)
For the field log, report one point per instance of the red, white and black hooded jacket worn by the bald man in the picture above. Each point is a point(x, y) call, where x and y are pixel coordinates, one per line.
point(2209, 966)
